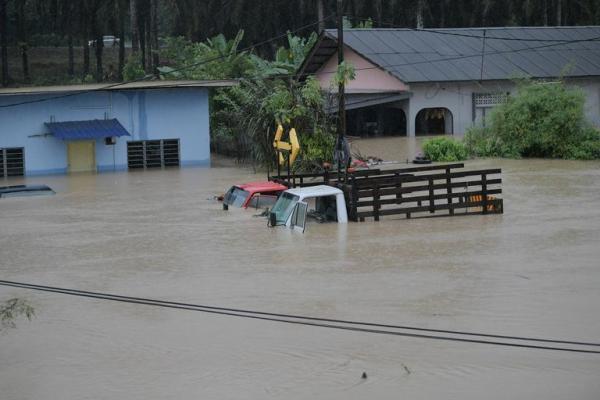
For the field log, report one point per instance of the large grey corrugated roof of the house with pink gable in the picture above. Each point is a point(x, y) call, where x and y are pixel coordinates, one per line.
point(434, 55)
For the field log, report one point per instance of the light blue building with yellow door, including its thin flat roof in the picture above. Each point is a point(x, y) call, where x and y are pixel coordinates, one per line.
point(61, 129)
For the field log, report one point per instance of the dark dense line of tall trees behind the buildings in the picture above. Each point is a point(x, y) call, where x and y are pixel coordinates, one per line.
point(142, 24)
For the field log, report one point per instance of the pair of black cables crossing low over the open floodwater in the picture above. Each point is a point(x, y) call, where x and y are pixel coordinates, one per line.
point(356, 326)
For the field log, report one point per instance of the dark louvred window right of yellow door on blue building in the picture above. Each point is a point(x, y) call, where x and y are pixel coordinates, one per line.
point(153, 153)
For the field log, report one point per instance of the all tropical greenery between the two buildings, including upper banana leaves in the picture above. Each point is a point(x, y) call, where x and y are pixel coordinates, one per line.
point(244, 117)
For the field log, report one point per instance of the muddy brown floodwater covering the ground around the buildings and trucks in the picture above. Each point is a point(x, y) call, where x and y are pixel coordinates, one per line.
point(534, 271)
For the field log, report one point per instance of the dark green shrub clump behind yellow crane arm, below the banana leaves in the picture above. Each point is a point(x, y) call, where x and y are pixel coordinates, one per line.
point(246, 117)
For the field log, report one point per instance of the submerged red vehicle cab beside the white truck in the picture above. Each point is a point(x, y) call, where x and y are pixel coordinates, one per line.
point(253, 194)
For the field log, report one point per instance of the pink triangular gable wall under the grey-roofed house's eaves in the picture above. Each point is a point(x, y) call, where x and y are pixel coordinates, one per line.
point(369, 78)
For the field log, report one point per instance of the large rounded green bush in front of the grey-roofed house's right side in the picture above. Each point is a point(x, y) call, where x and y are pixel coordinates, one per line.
point(542, 120)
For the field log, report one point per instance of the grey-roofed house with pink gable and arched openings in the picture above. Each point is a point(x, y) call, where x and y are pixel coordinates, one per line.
point(443, 81)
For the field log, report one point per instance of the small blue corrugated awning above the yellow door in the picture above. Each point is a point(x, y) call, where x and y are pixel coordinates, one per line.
point(94, 129)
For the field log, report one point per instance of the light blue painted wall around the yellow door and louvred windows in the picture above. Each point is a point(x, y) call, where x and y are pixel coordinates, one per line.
point(166, 113)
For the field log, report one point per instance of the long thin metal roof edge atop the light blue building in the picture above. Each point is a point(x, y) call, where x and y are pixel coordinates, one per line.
point(117, 86)
